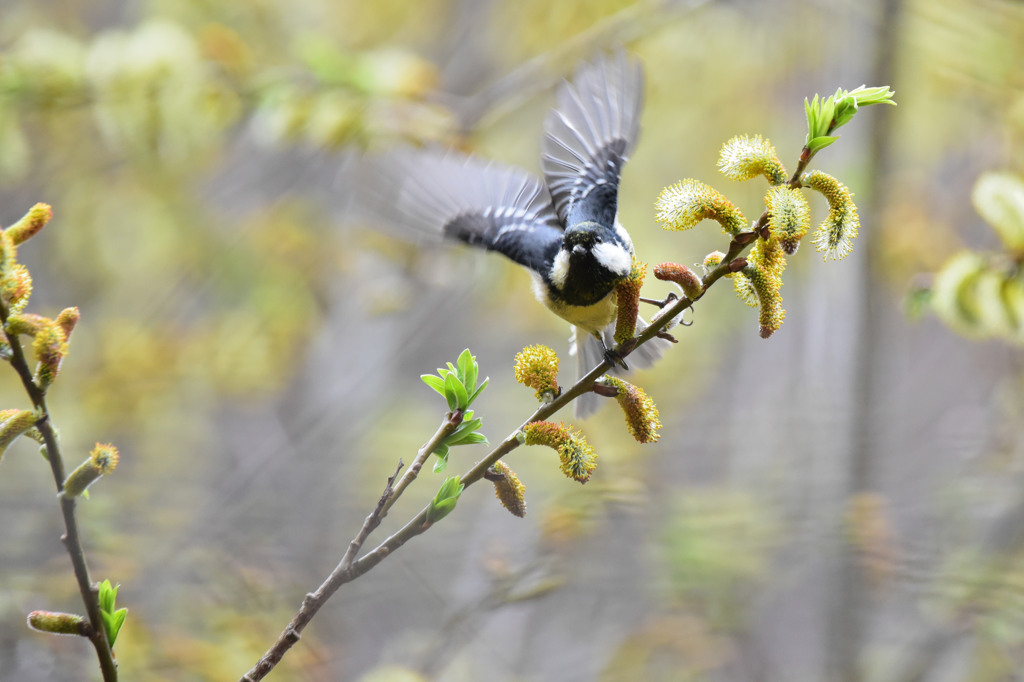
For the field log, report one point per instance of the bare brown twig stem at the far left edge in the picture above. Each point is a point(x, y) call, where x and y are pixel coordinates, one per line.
point(71, 539)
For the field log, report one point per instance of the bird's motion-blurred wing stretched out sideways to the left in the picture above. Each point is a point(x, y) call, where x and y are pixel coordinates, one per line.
point(449, 195)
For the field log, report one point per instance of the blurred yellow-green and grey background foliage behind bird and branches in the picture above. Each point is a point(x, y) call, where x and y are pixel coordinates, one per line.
point(813, 511)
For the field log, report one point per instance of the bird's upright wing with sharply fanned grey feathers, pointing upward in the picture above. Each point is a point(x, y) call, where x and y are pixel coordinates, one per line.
point(589, 136)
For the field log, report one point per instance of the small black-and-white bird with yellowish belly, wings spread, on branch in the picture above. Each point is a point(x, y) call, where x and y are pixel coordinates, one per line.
point(564, 228)
